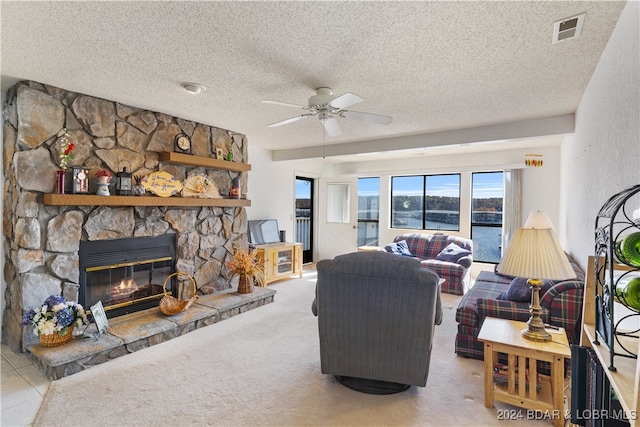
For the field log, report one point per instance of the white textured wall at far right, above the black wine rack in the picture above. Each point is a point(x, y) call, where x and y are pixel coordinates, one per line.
point(603, 156)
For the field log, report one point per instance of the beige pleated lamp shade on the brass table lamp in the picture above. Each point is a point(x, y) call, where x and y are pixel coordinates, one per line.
point(534, 252)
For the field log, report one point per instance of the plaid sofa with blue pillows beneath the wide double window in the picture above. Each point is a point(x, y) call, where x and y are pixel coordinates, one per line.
point(427, 246)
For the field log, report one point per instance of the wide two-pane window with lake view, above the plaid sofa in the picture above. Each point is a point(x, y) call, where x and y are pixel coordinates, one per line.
point(430, 202)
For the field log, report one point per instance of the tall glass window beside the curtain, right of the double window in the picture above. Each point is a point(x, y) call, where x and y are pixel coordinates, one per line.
point(487, 193)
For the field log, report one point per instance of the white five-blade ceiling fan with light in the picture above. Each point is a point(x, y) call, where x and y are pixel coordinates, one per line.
point(327, 108)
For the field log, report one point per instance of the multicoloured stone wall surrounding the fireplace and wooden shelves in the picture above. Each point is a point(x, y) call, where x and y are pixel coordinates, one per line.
point(41, 242)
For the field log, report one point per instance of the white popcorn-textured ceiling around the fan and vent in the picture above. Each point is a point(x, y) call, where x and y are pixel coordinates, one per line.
point(438, 68)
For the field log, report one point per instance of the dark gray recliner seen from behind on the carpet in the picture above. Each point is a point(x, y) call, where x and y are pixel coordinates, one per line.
point(376, 318)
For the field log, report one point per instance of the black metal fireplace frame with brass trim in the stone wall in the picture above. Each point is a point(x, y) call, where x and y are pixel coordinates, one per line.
point(126, 254)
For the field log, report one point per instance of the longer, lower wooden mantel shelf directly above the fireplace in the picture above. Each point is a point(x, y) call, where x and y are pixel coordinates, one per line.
point(94, 200)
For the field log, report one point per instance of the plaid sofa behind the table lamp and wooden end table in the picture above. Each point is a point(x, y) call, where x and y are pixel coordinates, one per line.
point(561, 303)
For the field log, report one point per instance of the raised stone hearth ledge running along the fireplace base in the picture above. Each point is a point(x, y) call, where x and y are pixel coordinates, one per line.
point(136, 331)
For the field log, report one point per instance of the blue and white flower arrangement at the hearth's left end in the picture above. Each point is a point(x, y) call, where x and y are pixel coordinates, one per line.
point(55, 316)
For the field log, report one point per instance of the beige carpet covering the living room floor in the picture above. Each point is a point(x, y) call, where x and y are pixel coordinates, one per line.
point(262, 369)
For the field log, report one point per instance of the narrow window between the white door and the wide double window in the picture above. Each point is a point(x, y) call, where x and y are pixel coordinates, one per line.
point(368, 211)
